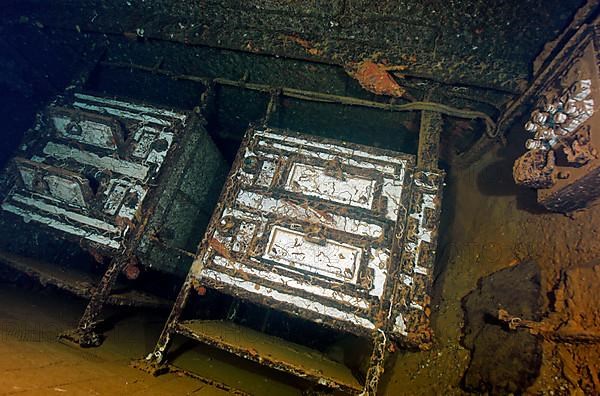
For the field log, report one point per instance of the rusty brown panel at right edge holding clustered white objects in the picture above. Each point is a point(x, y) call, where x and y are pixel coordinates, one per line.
point(562, 161)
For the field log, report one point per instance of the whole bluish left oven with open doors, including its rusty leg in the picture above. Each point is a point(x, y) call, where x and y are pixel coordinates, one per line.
point(125, 181)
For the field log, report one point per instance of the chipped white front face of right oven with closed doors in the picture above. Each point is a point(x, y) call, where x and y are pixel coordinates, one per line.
point(313, 226)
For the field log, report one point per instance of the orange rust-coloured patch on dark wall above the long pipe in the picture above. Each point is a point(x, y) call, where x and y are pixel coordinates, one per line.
point(375, 77)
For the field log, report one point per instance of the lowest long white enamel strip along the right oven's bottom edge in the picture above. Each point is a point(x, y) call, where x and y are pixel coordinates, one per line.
point(297, 301)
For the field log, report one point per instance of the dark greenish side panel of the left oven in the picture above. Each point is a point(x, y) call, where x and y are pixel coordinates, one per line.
point(185, 204)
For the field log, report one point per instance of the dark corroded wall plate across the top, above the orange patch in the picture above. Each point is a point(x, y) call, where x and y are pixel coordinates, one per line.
point(468, 43)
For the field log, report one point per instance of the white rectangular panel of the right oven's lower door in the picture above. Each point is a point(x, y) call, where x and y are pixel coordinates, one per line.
point(328, 258)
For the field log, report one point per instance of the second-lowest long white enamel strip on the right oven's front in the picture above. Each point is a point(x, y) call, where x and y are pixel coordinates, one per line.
point(293, 283)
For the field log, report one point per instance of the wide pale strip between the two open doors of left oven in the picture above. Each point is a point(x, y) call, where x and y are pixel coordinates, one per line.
point(126, 168)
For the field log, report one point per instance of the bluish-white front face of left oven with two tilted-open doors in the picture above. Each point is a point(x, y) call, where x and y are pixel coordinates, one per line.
point(83, 144)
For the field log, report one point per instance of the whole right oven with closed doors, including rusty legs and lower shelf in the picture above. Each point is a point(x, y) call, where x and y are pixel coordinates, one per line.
point(338, 234)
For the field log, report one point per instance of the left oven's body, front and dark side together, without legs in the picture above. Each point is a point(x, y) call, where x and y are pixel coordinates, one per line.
point(97, 171)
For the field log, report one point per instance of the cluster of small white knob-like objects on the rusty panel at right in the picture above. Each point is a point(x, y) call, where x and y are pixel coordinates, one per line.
point(561, 116)
